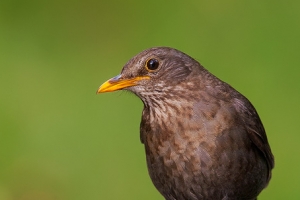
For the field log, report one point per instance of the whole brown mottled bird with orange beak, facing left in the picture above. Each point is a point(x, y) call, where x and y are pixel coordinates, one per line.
point(203, 139)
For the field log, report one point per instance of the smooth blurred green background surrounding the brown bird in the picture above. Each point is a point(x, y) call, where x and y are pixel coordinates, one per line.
point(61, 141)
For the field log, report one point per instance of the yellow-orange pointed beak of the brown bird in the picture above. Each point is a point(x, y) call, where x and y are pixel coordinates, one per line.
point(117, 83)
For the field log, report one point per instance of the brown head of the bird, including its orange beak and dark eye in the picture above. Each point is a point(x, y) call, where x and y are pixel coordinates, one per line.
point(152, 71)
